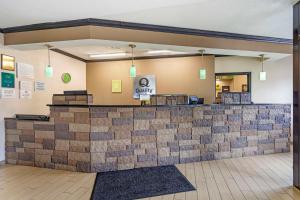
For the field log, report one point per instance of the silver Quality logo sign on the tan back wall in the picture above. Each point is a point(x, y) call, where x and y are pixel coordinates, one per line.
point(144, 85)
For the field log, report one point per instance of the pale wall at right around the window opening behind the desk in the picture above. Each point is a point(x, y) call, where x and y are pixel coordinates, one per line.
point(278, 88)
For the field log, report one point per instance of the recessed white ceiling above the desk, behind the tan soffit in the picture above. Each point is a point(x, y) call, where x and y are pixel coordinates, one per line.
point(84, 48)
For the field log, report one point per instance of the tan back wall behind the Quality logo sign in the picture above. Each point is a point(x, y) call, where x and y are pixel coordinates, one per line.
point(173, 76)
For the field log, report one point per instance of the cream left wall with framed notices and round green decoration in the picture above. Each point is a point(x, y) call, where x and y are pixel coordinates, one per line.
point(37, 105)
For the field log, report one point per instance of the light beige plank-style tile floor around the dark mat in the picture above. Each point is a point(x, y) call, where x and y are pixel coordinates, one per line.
point(259, 177)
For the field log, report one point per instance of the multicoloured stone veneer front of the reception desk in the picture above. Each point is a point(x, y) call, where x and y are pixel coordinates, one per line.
point(91, 138)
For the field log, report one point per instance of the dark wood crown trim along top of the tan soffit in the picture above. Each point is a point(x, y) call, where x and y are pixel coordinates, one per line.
point(145, 27)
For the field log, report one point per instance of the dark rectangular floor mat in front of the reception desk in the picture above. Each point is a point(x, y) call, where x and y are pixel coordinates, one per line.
point(140, 183)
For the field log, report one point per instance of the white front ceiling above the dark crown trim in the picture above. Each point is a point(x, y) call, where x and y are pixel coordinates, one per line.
point(255, 17)
